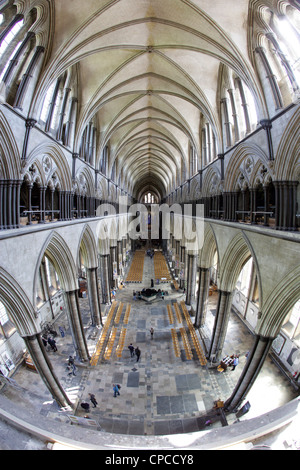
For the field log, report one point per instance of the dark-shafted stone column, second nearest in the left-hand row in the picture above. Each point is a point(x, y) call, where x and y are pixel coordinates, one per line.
point(77, 326)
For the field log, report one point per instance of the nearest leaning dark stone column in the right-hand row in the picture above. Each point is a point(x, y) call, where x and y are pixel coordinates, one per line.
point(255, 361)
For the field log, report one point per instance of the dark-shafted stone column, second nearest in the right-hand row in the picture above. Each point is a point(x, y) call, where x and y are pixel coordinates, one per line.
point(220, 325)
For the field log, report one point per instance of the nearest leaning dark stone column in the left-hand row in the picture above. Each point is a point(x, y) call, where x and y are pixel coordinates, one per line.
point(43, 365)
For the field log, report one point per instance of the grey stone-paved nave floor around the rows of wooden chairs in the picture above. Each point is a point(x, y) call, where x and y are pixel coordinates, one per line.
point(160, 394)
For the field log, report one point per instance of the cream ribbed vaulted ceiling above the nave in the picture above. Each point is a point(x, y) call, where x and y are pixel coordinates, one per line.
point(148, 71)
